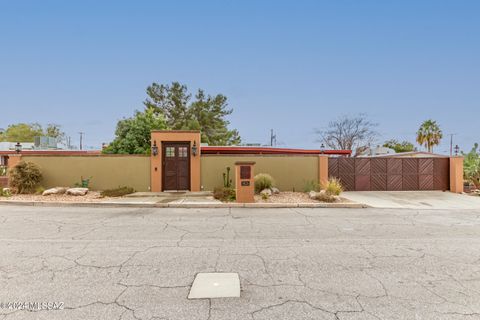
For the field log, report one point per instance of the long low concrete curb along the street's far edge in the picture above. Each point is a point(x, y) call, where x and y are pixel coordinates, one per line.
point(177, 205)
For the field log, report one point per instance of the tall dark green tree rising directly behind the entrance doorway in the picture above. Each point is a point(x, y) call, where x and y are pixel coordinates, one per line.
point(205, 113)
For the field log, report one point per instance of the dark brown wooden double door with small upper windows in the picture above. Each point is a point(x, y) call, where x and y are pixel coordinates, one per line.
point(176, 166)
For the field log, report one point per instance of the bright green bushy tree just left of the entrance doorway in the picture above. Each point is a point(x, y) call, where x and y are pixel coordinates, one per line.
point(132, 135)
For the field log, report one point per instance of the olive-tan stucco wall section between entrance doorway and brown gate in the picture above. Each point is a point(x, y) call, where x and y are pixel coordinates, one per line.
point(290, 172)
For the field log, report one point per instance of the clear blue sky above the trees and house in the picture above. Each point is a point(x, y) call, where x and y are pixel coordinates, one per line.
point(287, 65)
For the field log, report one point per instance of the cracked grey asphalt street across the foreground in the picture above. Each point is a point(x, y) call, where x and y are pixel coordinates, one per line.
point(127, 263)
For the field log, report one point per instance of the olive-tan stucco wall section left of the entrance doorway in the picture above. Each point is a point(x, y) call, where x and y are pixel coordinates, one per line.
point(107, 171)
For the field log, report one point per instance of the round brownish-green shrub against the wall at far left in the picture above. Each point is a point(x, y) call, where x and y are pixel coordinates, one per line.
point(25, 177)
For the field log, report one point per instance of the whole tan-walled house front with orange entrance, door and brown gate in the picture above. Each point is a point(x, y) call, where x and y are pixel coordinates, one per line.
point(179, 162)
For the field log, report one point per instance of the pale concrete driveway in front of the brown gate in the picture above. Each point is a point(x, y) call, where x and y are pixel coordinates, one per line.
point(414, 199)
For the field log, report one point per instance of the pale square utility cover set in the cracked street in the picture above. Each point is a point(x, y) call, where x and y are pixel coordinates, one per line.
point(215, 285)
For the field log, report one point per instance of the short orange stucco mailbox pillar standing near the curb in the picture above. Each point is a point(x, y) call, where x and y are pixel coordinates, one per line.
point(244, 183)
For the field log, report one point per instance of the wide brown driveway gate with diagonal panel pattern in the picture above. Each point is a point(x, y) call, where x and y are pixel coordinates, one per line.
point(390, 174)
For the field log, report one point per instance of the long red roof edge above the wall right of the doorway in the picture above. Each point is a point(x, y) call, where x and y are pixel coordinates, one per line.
point(268, 150)
